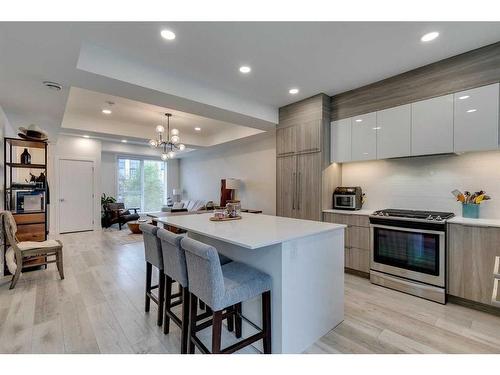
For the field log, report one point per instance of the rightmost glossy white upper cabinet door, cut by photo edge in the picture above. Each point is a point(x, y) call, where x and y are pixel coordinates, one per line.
point(476, 119)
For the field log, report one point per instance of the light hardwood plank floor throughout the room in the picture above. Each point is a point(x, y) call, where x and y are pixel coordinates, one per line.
point(98, 308)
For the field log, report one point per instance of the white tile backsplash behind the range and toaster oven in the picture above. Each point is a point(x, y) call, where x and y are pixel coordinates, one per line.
point(426, 183)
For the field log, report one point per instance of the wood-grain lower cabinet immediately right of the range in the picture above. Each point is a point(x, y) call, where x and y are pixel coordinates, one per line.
point(471, 256)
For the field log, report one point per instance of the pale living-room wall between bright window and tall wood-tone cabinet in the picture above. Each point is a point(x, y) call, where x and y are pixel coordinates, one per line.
point(252, 161)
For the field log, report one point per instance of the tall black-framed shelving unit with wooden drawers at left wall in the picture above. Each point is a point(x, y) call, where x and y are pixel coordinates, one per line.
point(32, 225)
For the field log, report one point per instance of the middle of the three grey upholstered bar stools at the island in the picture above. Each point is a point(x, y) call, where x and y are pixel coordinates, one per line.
point(174, 268)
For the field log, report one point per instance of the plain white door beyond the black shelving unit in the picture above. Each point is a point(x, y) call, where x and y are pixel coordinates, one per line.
point(76, 190)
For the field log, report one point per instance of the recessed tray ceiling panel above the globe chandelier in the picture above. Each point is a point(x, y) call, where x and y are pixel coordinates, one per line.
point(136, 121)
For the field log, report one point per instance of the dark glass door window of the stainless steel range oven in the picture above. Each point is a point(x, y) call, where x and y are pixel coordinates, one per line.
point(409, 250)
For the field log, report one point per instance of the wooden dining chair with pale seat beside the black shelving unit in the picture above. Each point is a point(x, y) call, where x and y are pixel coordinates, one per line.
point(28, 249)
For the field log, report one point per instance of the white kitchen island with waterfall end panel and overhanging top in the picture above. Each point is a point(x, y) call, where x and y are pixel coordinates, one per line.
point(305, 260)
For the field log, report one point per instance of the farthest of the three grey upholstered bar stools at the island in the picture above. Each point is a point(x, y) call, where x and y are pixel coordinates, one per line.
point(153, 255)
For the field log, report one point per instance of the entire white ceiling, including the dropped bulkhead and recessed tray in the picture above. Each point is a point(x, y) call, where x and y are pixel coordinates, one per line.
point(197, 76)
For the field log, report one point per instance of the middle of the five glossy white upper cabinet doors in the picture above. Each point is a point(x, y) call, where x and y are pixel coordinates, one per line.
point(394, 132)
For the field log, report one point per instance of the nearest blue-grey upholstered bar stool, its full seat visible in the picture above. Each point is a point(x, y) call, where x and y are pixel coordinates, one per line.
point(221, 287)
